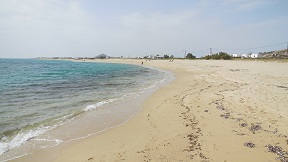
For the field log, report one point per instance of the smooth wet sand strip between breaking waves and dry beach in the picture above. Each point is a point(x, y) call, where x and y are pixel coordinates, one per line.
point(109, 114)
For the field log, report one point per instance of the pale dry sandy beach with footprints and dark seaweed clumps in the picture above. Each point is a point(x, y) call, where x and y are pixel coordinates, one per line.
point(214, 110)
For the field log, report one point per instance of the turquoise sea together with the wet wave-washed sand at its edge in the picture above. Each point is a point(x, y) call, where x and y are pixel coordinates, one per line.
point(46, 102)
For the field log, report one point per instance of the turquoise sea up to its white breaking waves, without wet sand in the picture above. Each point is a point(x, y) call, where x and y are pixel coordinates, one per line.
point(36, 96)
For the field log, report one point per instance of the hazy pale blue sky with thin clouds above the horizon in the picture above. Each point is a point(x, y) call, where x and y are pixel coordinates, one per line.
point(131, 28)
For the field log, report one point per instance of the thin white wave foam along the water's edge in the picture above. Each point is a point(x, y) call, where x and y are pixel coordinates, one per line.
point(23, 137)
